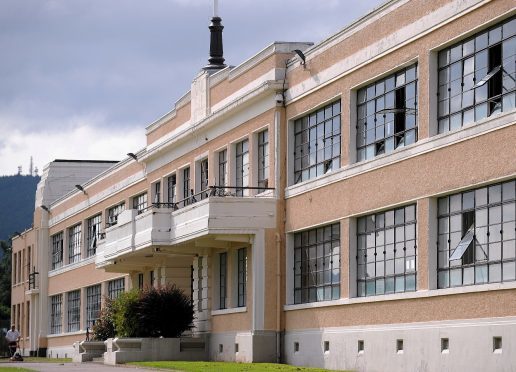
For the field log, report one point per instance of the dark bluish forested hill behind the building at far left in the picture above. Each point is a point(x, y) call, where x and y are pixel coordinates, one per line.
point(17, 195)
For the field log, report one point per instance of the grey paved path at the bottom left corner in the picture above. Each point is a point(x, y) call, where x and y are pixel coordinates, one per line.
point(73, 367)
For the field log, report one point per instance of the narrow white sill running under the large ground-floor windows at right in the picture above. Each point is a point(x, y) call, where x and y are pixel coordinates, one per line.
point(424, 293)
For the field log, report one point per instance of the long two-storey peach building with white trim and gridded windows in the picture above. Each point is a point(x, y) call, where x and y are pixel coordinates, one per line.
point(349, 204)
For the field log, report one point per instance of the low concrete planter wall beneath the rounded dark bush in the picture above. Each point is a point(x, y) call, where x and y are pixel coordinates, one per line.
point(123, 350)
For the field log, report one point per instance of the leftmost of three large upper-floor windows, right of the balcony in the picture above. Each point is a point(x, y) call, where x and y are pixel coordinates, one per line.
point(317, 143)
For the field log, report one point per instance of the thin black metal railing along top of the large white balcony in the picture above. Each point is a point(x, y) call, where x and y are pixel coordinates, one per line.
point(211, 191)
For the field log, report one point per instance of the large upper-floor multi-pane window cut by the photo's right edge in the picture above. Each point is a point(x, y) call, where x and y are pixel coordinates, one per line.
point(477, 77)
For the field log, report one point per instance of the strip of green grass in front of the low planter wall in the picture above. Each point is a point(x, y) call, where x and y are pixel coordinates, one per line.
point(224, 366)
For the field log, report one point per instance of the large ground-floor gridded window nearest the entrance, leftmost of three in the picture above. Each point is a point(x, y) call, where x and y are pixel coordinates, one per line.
point(317, 264)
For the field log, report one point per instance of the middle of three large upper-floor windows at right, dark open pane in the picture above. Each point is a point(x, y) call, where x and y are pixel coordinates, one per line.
point(387, 114)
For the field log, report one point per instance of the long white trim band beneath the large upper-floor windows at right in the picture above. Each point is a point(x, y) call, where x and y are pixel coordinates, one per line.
point(421, 147)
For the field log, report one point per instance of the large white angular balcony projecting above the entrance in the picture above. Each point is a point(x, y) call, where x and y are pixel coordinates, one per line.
point(215, 211)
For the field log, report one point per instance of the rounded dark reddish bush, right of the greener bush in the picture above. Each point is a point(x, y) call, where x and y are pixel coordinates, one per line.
point(164, 312)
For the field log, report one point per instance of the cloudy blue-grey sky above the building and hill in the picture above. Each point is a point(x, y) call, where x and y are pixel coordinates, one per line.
point(81, 79)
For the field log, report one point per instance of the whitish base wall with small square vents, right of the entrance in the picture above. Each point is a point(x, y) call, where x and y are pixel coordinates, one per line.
point(462, 345)
